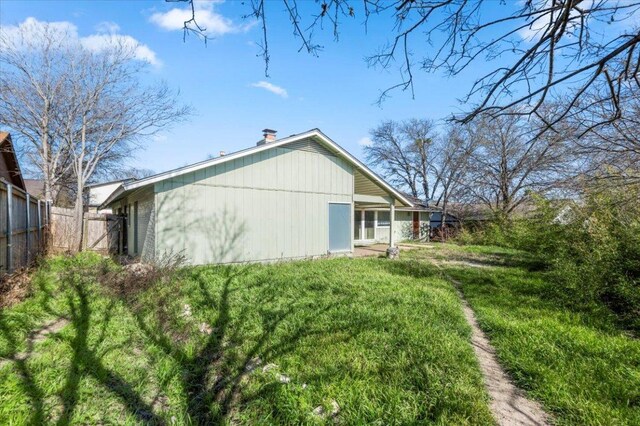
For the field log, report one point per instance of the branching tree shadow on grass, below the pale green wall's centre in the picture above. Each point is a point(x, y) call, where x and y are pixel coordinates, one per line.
point(214, 374)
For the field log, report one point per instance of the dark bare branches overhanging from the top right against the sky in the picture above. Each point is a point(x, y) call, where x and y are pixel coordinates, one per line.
point(555, 49)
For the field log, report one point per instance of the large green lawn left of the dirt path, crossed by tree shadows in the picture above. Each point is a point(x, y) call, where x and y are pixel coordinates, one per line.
point(385, 341)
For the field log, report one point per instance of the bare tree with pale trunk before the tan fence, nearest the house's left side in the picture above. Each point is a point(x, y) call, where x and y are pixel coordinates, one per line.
point(108, 113)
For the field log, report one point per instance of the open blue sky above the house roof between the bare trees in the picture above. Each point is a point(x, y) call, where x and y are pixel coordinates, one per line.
point(225, 80)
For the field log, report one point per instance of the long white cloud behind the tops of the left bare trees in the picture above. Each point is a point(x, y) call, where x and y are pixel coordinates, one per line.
point(30, 32)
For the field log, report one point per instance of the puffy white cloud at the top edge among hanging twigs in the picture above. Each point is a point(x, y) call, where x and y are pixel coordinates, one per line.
point(212, 22)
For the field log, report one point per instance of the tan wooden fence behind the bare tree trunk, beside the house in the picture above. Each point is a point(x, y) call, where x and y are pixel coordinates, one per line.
point(101, 232)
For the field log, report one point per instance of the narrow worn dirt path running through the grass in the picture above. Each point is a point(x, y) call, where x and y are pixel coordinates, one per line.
point(509, 404)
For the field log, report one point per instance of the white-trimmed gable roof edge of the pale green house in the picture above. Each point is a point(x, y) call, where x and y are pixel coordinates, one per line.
point(315, 134)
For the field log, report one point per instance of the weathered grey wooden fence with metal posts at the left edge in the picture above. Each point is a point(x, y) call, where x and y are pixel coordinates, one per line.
point(25, 221)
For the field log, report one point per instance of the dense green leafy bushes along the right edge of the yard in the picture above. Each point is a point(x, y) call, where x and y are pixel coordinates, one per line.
point(593, 253)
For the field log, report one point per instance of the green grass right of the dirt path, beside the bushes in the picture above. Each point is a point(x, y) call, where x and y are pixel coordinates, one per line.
point(577, 363)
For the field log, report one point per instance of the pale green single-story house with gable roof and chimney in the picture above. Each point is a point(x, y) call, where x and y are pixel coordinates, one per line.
point(297, 197)
